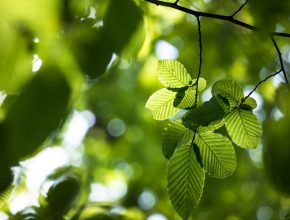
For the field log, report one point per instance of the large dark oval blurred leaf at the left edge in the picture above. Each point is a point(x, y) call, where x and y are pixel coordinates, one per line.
point(33, 116)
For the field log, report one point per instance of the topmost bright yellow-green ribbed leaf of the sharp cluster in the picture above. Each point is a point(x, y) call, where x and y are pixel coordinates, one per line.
point(172, 74)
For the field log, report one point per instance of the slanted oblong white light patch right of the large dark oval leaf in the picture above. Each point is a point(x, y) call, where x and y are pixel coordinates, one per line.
point(78, 127)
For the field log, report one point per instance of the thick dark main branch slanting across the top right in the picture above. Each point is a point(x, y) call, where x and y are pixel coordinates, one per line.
point(213, 16)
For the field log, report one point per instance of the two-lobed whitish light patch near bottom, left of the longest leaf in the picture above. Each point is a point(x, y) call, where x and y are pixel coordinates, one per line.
point(114, 191)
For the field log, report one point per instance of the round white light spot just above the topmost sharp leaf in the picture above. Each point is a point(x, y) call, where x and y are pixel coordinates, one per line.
point(165, 50)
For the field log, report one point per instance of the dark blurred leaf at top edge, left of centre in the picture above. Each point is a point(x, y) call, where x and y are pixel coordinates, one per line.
point(94, 47)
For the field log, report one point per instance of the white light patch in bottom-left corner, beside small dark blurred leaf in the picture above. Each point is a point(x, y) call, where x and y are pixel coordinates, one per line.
point(22, 201)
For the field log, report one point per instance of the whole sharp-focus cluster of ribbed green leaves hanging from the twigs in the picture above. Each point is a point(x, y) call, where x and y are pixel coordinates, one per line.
point(202, 140)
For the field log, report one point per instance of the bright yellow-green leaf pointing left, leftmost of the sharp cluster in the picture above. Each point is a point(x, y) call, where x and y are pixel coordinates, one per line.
point(160, 104)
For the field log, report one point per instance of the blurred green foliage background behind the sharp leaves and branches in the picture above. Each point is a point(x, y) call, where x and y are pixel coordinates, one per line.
point(99, 60)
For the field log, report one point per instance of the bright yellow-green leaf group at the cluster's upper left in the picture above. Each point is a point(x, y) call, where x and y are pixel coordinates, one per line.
point(180, 91)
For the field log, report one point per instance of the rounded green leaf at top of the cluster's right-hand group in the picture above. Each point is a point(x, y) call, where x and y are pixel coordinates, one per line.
point(228, 89)
